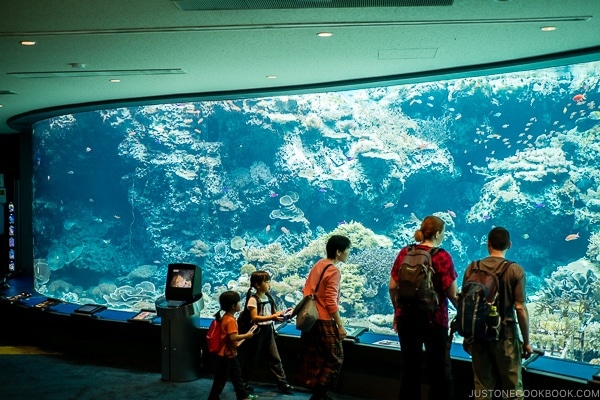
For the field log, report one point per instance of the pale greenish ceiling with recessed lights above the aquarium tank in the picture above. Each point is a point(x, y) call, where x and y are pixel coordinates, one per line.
point(162, 49)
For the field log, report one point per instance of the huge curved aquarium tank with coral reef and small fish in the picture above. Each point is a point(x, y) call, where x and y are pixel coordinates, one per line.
point(244, 184)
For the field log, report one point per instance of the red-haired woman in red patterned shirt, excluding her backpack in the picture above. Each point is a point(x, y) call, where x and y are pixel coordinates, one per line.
point(417, 328)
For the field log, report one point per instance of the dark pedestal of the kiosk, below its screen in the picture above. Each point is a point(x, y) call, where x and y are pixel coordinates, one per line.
point(180, 345)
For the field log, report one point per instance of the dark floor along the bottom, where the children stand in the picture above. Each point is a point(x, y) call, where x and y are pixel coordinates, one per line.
point(32, 373)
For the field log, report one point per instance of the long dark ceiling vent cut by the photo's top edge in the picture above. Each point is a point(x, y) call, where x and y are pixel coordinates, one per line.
point(200, 5)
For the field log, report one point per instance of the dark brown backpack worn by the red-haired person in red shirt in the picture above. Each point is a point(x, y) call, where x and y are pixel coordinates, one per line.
point(415, 286)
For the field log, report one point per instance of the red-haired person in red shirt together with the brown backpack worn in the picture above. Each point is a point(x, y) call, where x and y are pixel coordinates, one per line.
point(423, 279)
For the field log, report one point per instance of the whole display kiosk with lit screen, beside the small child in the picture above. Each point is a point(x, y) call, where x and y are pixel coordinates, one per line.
point(180, 347)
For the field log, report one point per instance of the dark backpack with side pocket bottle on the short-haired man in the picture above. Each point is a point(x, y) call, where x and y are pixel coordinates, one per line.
point(478, 295)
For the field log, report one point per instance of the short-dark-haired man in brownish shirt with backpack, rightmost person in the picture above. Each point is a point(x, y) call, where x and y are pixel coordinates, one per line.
point(497, 357)
